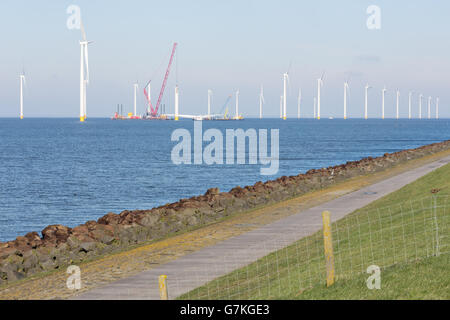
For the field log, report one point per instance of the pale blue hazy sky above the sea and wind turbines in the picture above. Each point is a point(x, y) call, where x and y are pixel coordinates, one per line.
point(225, 46)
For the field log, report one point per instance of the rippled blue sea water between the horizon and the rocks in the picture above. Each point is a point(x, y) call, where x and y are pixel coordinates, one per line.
point(61, 171)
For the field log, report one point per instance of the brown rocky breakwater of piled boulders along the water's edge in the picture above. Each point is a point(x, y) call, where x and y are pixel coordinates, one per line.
point(60, 246)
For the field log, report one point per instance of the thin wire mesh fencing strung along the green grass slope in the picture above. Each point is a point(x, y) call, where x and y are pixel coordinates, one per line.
point(401, 233)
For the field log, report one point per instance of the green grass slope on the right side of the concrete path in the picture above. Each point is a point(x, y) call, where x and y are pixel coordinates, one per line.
point(405, 233)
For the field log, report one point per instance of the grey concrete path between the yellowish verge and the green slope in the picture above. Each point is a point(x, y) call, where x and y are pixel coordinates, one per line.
point(196, 269)
